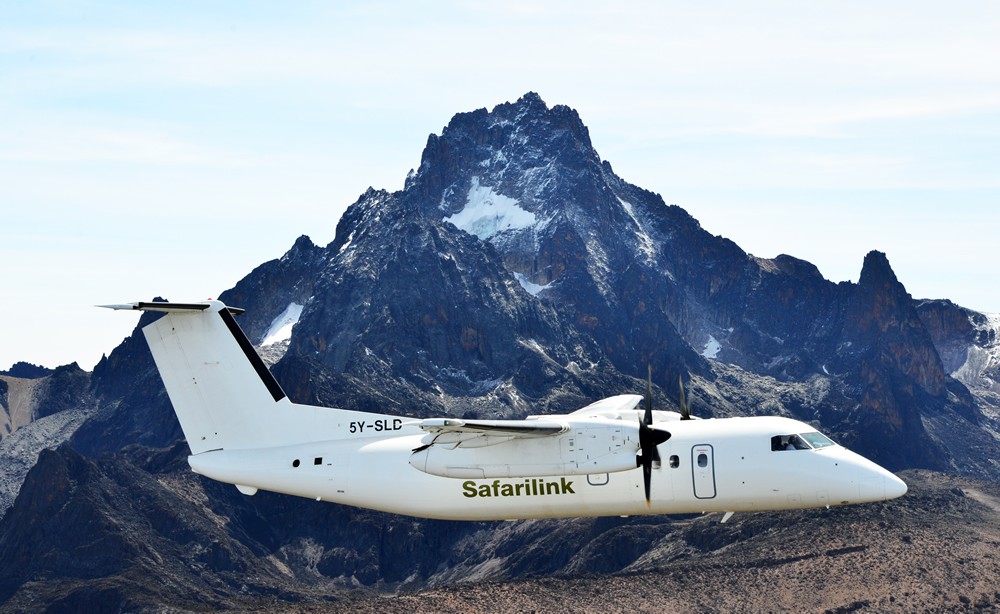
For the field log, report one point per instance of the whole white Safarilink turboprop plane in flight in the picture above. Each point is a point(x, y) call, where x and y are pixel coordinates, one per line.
point(242, 429)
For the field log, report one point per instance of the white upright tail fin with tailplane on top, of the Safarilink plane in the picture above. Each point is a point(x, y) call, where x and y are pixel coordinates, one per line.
point(221, 390)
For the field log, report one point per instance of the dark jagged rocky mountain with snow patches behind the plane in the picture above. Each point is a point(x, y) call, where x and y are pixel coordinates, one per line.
point(513, 274)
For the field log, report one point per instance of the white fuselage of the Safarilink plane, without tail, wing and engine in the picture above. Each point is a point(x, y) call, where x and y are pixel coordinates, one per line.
point(738, 472)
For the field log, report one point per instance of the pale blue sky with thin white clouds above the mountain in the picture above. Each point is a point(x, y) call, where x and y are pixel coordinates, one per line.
point(168, 148)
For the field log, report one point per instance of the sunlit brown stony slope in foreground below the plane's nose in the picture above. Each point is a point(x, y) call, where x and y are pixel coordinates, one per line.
point(937, 549)
